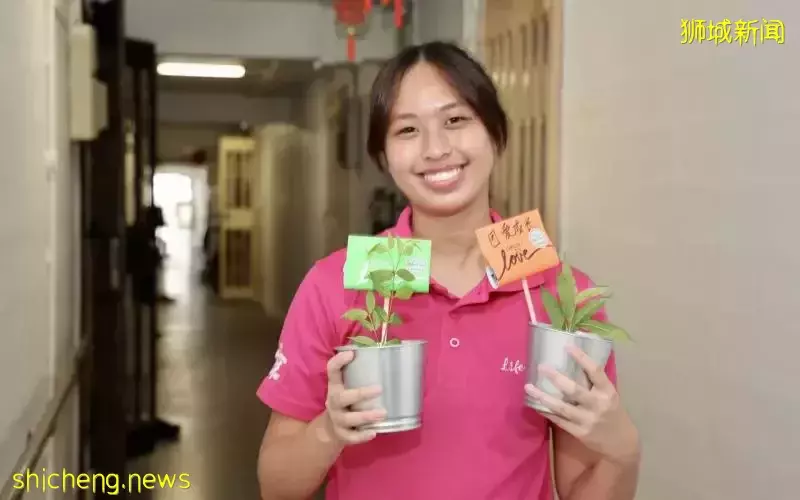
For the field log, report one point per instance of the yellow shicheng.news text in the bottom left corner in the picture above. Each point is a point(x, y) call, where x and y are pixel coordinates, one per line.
point(111, 484)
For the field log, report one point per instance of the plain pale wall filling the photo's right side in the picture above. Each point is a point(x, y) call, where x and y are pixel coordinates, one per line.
point(680, 191)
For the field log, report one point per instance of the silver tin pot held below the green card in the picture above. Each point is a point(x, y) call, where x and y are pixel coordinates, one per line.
point(398, 370)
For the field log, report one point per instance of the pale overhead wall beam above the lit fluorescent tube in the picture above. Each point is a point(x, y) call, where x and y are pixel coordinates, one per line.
point(275, 29)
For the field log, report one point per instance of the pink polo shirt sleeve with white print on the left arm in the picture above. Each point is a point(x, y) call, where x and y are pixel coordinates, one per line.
point(296, 385)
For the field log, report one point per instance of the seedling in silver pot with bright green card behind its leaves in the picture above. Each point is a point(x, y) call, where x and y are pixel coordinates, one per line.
point(388, 269)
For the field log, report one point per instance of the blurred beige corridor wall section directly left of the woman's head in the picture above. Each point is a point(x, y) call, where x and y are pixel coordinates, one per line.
point(300, 158)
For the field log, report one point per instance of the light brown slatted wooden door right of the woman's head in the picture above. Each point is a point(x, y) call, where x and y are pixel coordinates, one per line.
point(521, 47)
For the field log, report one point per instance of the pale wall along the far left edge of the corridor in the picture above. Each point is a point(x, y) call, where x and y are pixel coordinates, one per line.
point(38, 225)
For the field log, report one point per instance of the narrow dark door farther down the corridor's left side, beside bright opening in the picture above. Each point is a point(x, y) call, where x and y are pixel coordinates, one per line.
point(142, 218)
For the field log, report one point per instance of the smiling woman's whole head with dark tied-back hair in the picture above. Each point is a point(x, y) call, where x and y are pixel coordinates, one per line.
point(446, 111)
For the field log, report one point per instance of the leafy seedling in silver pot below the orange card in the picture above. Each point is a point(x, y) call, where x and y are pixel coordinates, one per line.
point(571, 322)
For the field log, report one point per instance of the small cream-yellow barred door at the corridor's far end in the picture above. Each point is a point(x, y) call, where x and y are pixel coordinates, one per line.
point(236, 183)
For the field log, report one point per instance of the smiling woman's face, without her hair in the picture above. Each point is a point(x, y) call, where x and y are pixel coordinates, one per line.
point(437, 149)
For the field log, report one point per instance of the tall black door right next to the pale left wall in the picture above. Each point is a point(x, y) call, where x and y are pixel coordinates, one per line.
point(103, 382)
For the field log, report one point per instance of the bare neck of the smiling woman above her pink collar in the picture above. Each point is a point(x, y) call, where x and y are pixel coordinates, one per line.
point(454, 235)
